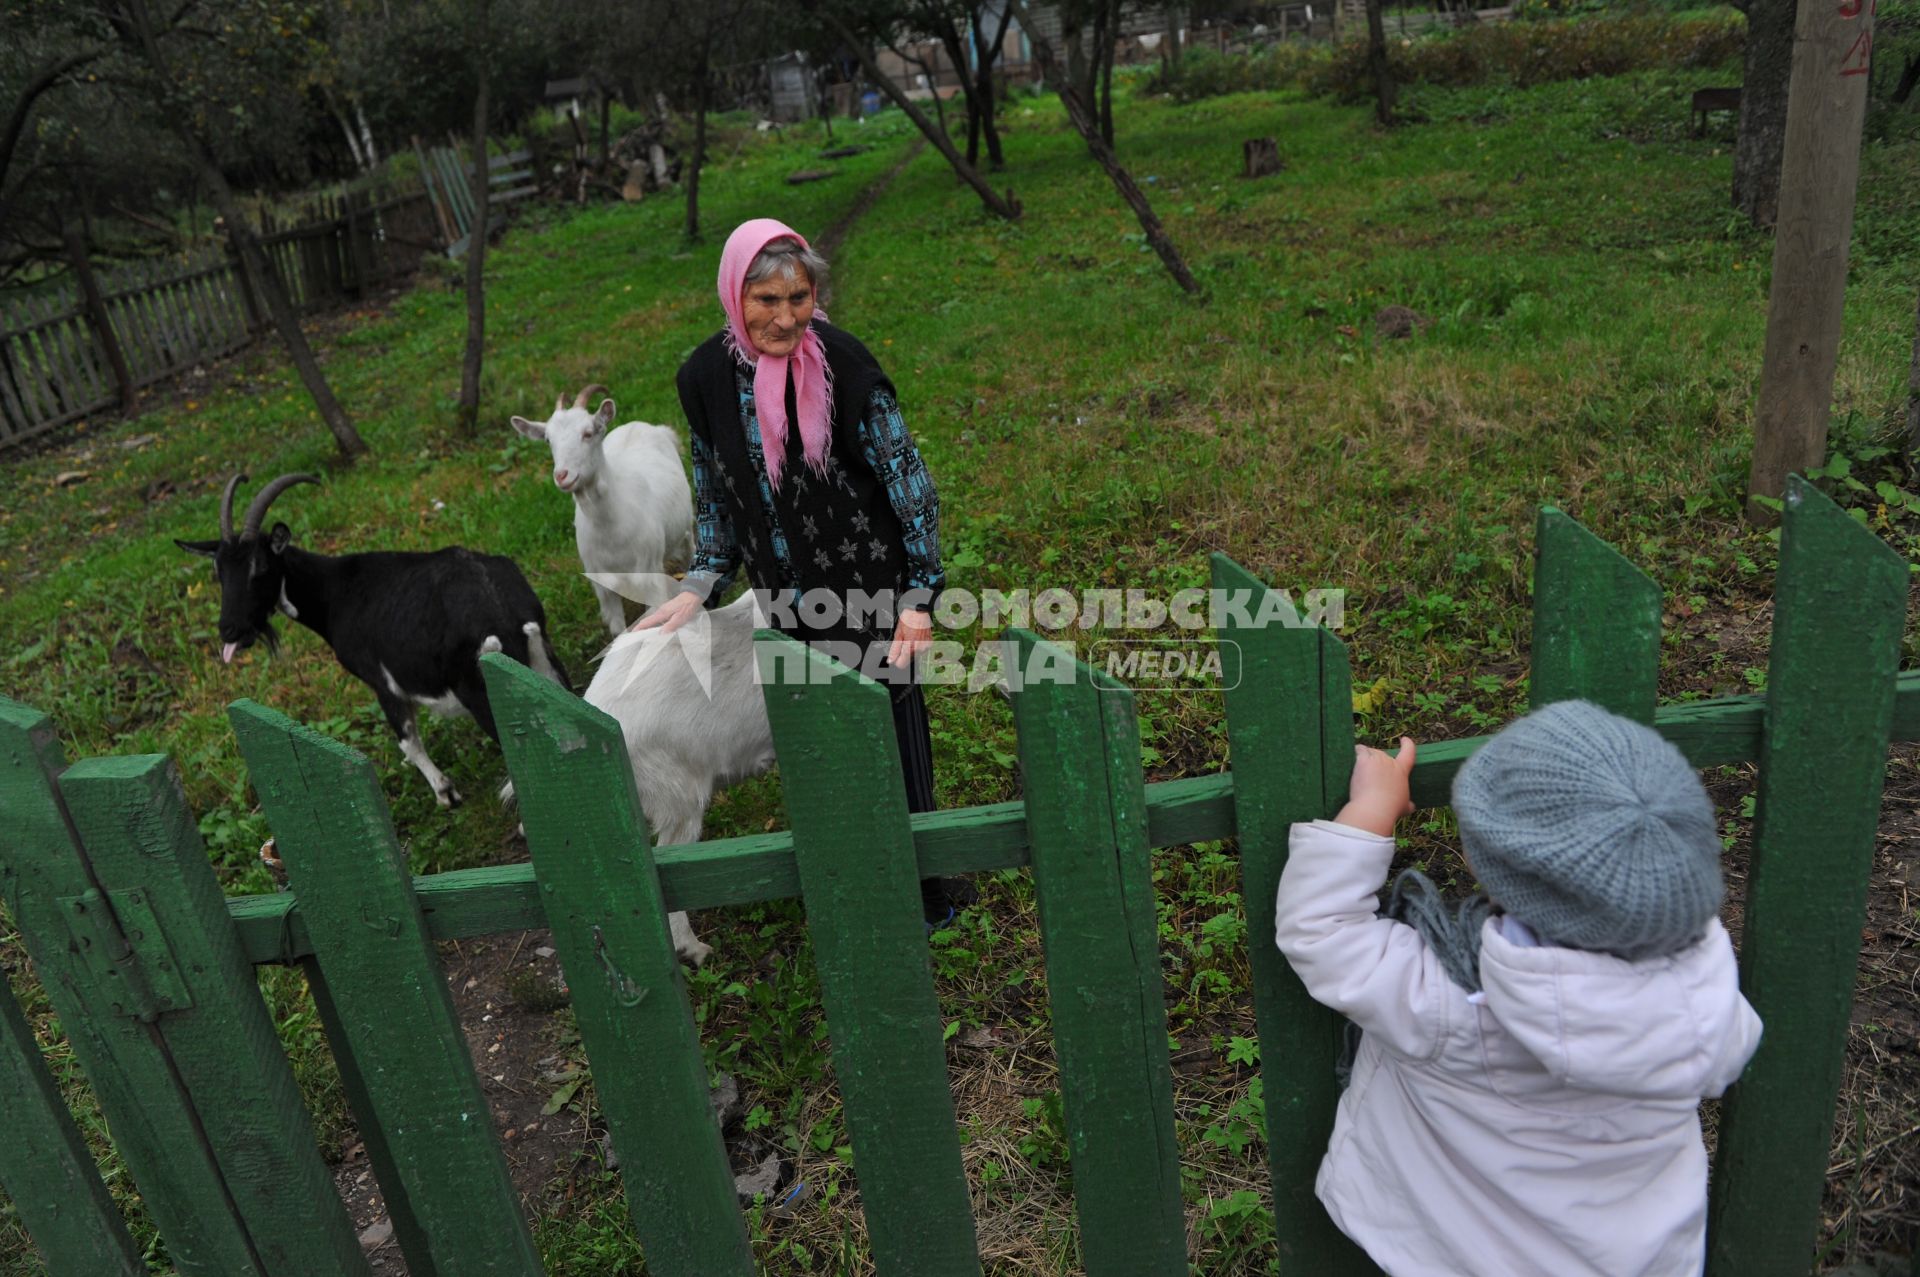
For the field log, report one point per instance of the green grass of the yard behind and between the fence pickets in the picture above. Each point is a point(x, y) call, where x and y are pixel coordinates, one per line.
point(1595, 343)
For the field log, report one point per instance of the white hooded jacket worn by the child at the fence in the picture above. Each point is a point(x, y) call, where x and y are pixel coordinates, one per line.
point(1548, 1124)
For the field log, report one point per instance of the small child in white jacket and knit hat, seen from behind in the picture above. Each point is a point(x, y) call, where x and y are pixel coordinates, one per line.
point(1525, 1096)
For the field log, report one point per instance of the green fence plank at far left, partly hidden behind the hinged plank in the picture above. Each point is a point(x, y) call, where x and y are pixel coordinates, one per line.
point(43, 879)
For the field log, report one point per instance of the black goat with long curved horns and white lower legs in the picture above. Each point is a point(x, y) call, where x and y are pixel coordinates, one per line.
point(408, 625)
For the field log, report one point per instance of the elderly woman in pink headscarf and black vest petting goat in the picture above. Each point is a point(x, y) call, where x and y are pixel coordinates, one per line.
point(805, 475)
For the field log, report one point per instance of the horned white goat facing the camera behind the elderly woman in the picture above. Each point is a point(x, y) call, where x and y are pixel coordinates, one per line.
point(633, 504)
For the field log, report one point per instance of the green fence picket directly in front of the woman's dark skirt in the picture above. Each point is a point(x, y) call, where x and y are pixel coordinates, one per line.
point(840, 765)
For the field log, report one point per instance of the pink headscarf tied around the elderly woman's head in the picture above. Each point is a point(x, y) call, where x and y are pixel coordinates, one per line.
point(813, 391)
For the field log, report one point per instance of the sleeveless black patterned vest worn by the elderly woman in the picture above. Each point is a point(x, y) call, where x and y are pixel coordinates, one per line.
point(842, 531)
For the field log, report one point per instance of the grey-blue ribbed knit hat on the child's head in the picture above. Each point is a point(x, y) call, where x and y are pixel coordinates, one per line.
point(1593, 831)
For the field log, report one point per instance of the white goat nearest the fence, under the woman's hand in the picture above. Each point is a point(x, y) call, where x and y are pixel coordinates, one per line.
point(694, 723)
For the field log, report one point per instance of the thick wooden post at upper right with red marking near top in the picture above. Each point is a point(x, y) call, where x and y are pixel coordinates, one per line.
point(1819, 174)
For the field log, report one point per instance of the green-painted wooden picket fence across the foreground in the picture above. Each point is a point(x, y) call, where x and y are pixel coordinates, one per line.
point(149, 967)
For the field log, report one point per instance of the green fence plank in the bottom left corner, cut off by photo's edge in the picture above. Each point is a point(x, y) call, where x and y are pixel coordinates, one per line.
point(45, 1165)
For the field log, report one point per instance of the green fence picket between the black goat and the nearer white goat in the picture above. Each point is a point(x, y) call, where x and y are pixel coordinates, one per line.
point(594, 861)
